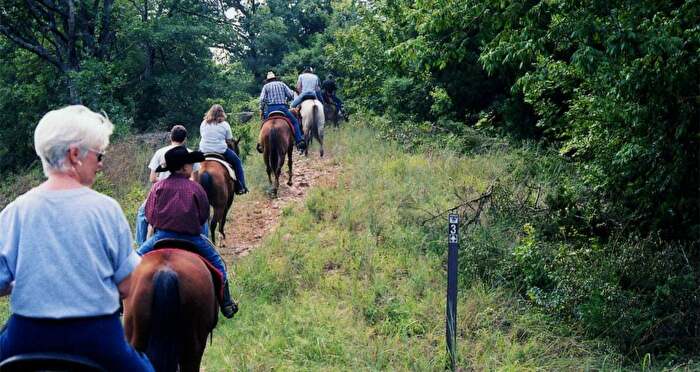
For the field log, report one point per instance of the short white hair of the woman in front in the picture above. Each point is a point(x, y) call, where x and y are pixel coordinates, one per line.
point(75, 126)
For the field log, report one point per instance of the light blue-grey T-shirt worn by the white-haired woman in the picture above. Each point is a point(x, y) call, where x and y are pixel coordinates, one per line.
point(66, 251)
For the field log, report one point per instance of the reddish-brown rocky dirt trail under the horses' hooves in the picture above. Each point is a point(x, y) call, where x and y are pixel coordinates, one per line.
point(255, 215)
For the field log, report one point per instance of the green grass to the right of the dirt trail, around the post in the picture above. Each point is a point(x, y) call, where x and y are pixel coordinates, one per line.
point(351, 280)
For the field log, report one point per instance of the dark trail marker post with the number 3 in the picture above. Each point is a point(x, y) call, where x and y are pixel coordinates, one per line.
point(452, 257)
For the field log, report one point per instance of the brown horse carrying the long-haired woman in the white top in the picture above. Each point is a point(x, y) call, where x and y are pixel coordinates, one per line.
point(220, 189)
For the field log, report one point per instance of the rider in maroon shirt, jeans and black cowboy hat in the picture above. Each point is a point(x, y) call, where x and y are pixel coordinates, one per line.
point(177, 207)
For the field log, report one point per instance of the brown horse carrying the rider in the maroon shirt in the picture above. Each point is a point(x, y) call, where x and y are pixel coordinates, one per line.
point(171, 309)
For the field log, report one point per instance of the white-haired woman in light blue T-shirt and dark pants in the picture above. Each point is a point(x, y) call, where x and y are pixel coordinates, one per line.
point(65, 251)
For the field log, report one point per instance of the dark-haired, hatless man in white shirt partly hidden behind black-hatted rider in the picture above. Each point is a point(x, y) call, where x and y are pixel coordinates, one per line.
point(178, 137)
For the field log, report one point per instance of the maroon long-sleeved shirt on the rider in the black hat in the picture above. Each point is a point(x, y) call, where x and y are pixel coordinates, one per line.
point(177, 204)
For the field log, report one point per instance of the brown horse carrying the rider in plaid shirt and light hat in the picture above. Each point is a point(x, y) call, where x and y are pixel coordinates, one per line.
point(277, 141)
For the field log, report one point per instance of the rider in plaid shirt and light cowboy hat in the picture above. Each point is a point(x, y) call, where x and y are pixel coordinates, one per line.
point(274, 97)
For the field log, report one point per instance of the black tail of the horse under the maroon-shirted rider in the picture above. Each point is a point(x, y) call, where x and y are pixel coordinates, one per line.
point(164, 343)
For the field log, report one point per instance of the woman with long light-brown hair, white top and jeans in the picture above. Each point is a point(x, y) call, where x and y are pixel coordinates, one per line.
point(214, 132)
